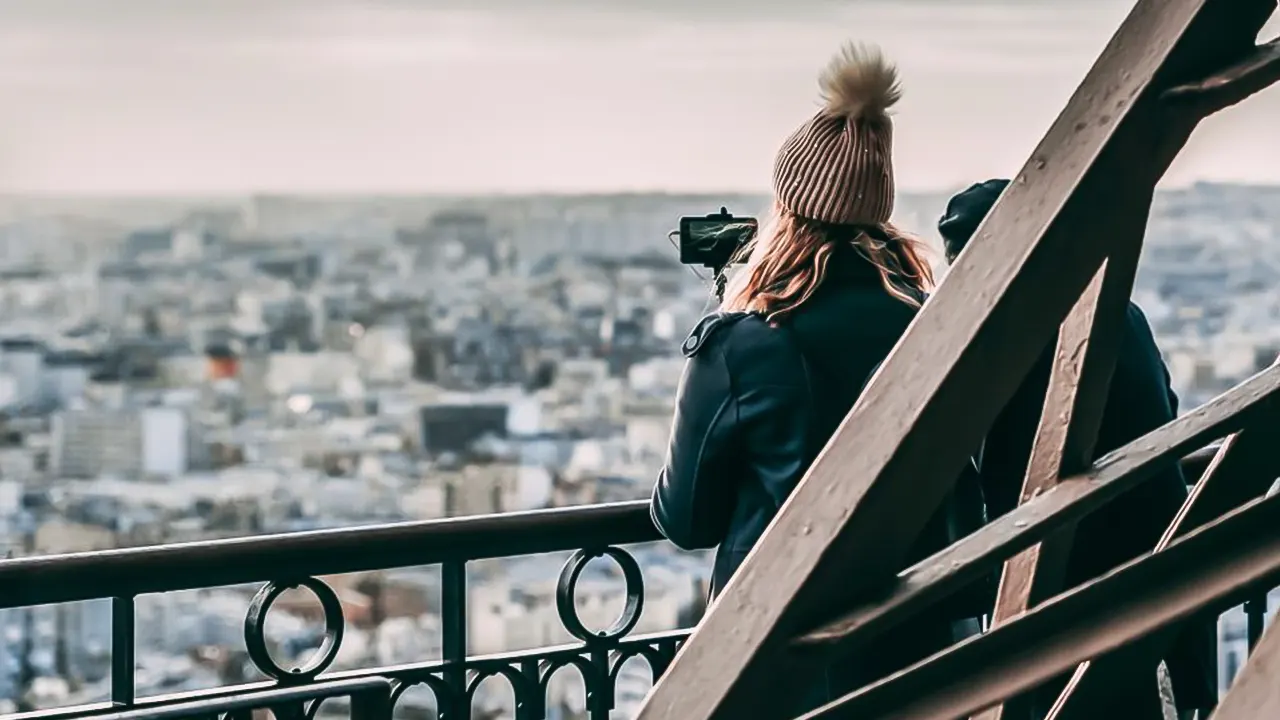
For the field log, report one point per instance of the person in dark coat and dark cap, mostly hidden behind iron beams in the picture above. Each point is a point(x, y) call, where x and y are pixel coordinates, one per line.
point(1141, 400)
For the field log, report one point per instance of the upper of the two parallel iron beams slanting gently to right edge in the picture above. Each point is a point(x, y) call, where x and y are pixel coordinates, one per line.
point(948, 572)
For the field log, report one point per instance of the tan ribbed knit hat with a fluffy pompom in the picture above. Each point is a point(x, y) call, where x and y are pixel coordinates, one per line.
point(839, 167)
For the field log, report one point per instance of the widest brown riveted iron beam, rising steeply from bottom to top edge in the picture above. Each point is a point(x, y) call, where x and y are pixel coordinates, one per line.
point(964, 356)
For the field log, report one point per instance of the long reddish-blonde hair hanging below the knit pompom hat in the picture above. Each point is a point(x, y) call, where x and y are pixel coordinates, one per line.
point(790, 257)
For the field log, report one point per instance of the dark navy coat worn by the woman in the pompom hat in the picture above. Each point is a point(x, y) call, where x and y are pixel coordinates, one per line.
point(758, 403)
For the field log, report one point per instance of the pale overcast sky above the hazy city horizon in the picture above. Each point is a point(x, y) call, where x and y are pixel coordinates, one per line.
point(196, 97)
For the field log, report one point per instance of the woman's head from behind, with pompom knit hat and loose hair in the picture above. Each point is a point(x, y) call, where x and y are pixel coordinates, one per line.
point(834, 186)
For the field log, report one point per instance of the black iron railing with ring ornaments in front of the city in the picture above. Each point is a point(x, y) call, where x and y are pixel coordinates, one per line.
point(292, 560)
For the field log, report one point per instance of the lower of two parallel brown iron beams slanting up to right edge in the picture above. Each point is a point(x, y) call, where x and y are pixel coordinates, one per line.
point(1201, 571)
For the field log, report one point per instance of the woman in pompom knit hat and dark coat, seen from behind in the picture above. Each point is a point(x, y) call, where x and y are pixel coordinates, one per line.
point(829, 289)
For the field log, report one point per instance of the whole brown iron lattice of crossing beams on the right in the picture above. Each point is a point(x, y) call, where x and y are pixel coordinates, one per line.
point(1054, 262)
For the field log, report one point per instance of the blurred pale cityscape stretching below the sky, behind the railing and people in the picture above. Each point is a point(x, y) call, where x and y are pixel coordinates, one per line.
point(177, 371)
